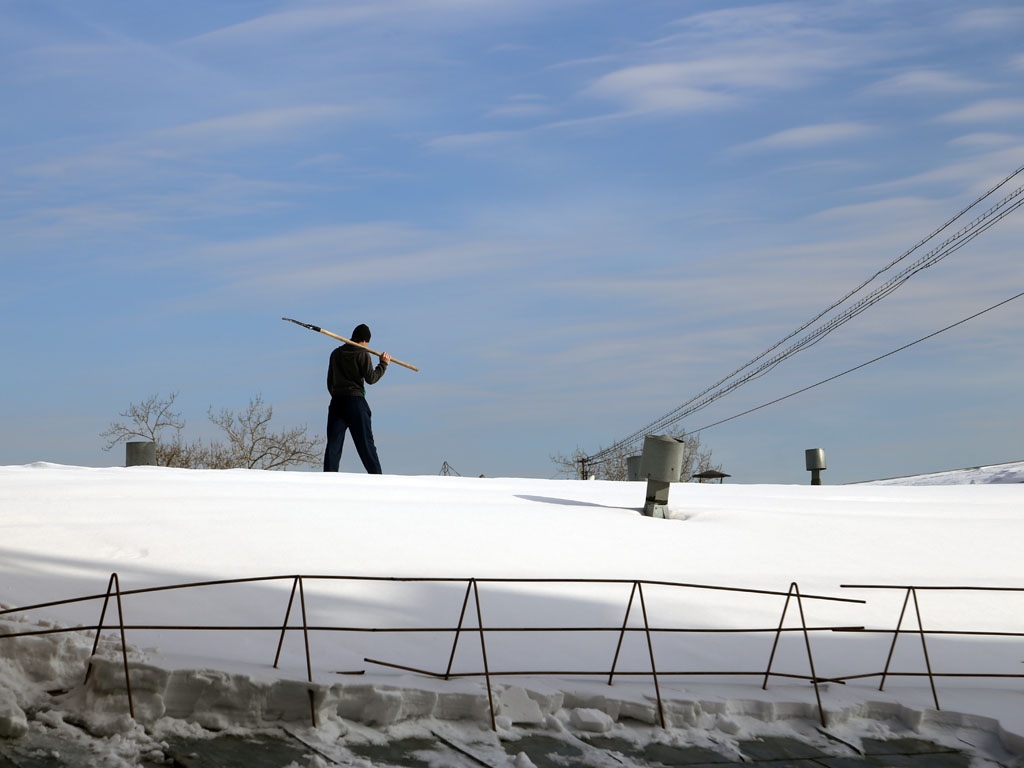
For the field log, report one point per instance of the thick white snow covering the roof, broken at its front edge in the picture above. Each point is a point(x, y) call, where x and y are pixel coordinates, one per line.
point(67, 530)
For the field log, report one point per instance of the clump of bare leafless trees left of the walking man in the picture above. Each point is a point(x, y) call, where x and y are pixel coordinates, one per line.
point(250, 443)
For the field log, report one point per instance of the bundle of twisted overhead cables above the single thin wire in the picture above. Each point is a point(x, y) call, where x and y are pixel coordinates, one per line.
point(730, 383)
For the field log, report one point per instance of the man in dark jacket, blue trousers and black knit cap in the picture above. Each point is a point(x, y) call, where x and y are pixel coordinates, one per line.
point(351, 369)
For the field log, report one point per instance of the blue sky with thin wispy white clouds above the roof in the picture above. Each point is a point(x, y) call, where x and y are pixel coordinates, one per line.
point(573, 216)
